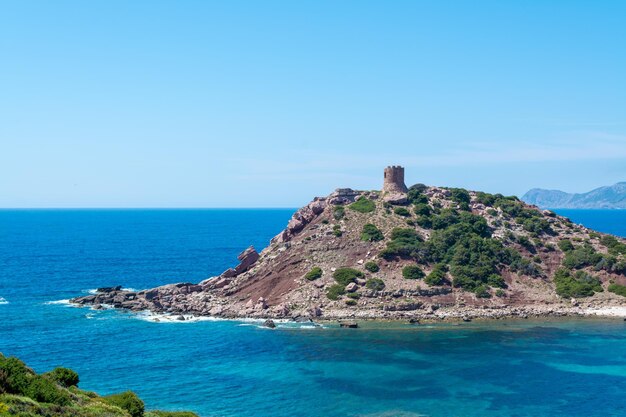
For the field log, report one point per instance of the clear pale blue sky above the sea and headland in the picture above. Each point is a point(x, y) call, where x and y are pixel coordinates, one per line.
point(269, 103)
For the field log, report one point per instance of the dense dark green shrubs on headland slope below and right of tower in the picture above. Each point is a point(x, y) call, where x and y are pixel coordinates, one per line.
point(460, 244)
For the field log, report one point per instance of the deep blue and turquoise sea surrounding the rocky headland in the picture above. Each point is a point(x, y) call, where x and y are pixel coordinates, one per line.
point(228, 368)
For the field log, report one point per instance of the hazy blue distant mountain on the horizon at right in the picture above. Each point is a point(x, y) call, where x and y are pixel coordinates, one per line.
point(609, 197)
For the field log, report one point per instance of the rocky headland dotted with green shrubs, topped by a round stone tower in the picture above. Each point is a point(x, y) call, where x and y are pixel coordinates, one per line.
point(423, 252)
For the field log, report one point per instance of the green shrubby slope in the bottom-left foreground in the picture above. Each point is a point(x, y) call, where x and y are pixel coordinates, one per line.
point(56, 394)
